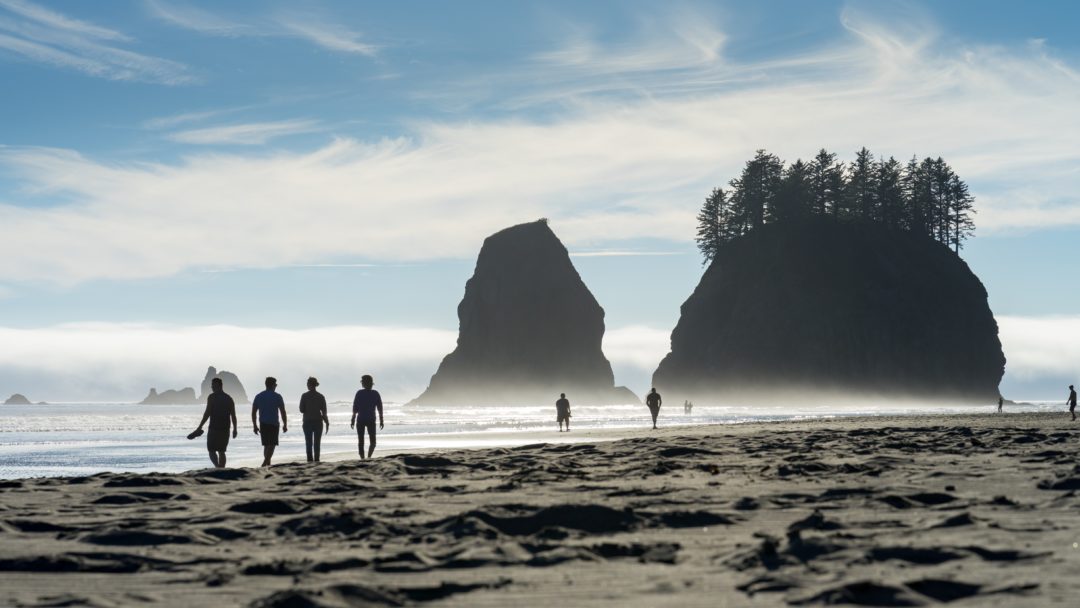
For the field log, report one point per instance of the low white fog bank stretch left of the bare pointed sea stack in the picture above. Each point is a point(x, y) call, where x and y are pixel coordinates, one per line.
point(109, 361)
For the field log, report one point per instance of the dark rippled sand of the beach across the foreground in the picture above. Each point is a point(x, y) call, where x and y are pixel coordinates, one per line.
point(969, 510)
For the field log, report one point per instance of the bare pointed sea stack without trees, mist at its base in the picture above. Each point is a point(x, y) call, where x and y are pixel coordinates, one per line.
point(530, 330)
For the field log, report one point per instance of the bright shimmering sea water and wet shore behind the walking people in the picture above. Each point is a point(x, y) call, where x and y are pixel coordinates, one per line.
point(82, 439)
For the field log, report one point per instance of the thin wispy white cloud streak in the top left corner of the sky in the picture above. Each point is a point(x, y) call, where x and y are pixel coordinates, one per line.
point(47, 37)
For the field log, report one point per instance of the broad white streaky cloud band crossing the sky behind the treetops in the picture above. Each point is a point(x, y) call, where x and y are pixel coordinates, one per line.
point(630, 156)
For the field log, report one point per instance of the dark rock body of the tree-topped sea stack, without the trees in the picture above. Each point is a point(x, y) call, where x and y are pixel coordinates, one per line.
point(814, 307)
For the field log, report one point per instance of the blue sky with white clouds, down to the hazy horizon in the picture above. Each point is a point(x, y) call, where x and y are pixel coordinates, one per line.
point(285, 190)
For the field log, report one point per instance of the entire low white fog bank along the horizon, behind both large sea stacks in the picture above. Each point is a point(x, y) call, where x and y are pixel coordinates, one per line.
point(105, 361)
